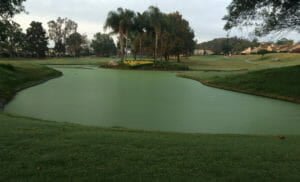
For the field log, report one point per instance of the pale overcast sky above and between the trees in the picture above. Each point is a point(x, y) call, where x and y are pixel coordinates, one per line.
point(204, 16)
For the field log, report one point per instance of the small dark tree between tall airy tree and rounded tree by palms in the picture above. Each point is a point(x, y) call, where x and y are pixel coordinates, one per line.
point(74, 43)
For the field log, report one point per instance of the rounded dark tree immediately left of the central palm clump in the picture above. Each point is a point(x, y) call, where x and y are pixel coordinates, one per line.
point(103, 45)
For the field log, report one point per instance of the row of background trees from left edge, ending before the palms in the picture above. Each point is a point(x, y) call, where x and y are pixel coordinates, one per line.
point(63, 32)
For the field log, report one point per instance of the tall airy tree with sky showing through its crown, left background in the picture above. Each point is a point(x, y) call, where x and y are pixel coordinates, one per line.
point(59, 31)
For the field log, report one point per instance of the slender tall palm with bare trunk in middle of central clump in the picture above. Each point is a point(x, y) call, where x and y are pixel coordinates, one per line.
point(155, 17)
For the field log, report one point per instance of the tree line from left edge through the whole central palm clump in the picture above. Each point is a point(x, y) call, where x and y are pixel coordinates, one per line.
point(151, 33)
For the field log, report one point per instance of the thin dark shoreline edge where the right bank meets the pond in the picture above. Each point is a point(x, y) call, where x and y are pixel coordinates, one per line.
point(270, 96)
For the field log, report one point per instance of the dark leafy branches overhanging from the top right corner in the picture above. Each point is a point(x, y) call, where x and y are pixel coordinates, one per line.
point(266, 15)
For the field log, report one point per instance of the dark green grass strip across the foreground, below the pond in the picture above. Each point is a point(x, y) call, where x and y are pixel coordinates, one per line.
point(33, 150)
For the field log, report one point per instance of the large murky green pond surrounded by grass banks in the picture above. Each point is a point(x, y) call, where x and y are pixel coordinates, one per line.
point(157, 101)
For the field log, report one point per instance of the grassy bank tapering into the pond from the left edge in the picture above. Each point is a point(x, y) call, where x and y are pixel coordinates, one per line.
point(15, 77)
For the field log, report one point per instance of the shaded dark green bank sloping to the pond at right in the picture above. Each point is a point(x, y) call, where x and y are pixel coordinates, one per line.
point(279, 83)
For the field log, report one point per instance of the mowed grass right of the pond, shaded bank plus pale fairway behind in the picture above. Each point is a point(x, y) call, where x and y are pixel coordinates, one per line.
point(273, 75)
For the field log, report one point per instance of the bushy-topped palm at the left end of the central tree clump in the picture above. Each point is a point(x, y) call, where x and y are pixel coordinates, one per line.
point(120, 22)
